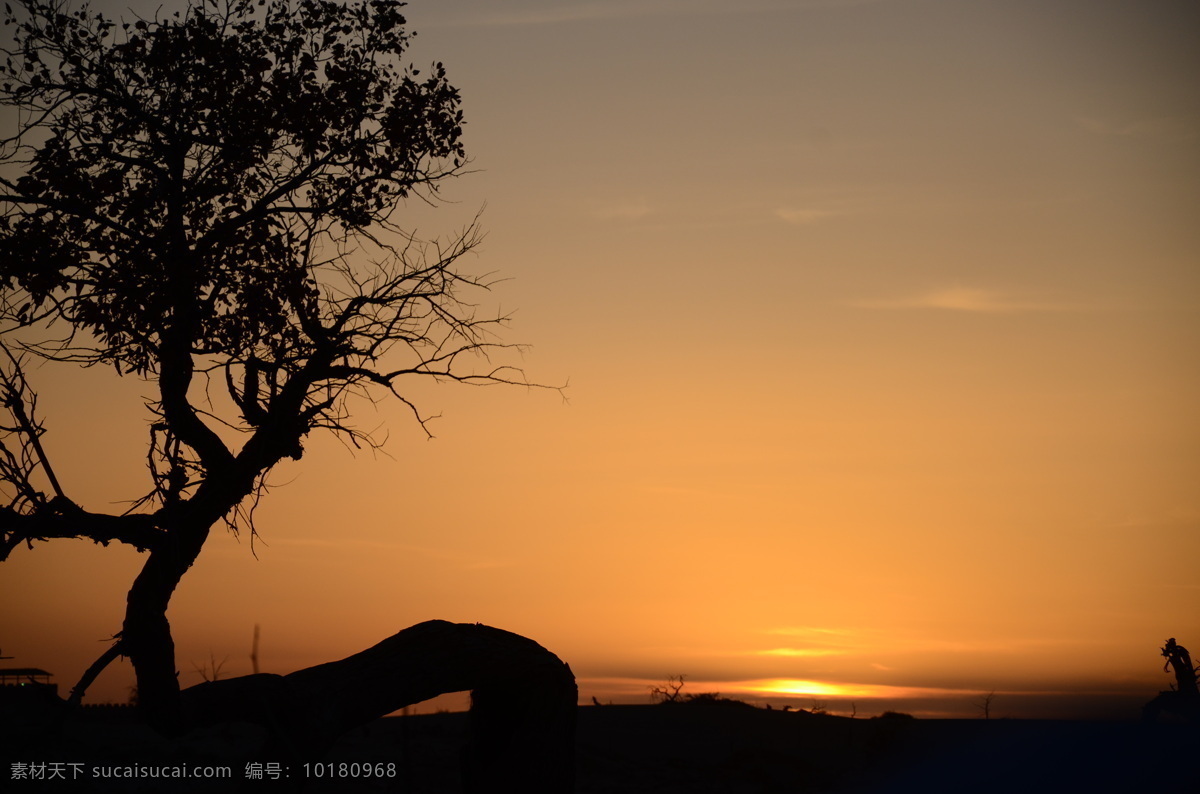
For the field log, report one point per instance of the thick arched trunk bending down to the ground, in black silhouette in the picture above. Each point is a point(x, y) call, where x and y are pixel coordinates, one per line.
point(523, 714)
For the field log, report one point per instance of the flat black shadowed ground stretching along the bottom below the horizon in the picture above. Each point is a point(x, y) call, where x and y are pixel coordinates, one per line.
point(686, 749)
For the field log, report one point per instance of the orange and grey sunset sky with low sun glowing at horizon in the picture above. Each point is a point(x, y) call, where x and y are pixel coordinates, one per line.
point(880, 323)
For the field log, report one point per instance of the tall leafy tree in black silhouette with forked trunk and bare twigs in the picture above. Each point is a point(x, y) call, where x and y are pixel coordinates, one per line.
point(206, 202)
